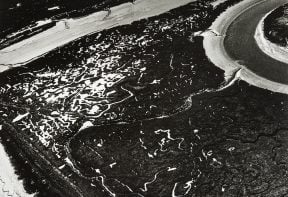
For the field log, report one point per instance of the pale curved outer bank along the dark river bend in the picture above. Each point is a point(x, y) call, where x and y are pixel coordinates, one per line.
point(215, 51)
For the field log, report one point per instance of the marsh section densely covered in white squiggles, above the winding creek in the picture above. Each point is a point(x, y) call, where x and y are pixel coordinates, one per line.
point(125, 74)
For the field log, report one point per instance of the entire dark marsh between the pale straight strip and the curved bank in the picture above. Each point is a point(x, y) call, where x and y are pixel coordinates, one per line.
point(158, 123)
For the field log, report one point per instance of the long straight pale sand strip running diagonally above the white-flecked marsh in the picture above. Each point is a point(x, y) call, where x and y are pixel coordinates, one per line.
point(40, 44)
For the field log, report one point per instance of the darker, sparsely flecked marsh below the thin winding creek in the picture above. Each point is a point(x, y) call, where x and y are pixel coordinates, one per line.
point(230, 143)
